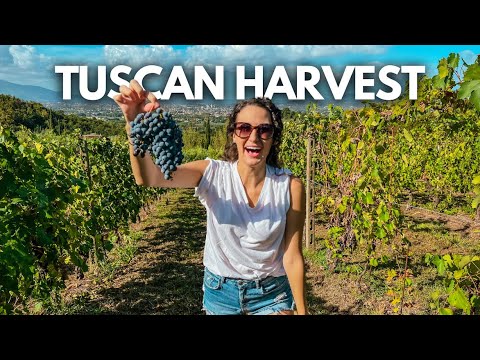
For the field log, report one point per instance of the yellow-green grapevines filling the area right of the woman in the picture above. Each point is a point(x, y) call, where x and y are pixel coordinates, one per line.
point(376, 162)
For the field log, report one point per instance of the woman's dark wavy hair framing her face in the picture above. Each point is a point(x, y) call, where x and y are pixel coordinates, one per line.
point(231, 152)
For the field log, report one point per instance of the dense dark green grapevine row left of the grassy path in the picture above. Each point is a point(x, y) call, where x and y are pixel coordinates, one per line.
point(64, 203)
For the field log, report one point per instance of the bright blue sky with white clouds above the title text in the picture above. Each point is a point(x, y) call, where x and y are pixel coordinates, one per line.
point(34, 64)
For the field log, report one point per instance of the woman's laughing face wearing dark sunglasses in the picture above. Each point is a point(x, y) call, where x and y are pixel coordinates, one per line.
point(253, 135)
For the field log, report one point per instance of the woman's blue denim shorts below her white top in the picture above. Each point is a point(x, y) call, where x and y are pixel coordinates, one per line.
point(227, 296)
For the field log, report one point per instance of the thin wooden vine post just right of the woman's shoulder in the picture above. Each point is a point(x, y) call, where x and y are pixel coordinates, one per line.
point(310, 203)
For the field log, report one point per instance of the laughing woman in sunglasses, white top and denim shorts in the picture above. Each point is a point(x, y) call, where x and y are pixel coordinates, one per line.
point(255, 210)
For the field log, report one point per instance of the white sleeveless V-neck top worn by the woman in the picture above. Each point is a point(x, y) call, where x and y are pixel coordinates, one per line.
point(244, 242)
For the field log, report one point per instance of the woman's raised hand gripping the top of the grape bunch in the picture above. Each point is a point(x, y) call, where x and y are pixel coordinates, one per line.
point(132, 100)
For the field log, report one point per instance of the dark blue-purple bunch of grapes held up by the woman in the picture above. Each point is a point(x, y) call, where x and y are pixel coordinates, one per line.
point(157, 132)
